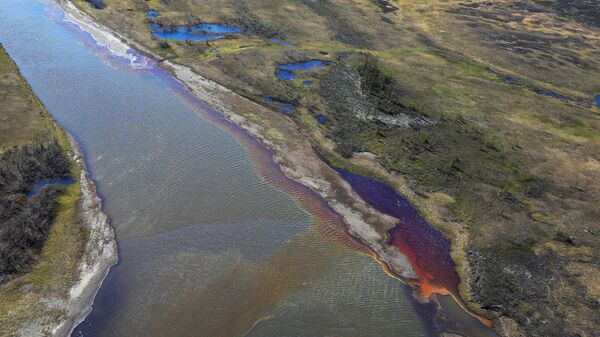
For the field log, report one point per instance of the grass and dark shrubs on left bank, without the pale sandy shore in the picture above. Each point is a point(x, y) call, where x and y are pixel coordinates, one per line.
point(41, 238)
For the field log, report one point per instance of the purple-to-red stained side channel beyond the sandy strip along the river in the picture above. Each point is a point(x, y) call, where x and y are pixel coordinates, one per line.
point(426, 248)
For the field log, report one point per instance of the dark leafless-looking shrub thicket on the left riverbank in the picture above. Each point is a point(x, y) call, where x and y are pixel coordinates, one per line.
point(25, 222)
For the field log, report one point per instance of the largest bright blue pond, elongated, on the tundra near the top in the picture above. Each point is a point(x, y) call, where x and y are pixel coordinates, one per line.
point(202, 32)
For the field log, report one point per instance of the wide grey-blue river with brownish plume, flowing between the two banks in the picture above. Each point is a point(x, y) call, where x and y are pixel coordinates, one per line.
point(213, 240)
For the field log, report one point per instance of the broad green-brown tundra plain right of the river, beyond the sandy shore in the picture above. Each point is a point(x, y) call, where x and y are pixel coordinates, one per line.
point(480, 112)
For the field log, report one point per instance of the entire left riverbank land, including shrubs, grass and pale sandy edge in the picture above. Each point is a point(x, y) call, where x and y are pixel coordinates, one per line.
point(57, 244)
